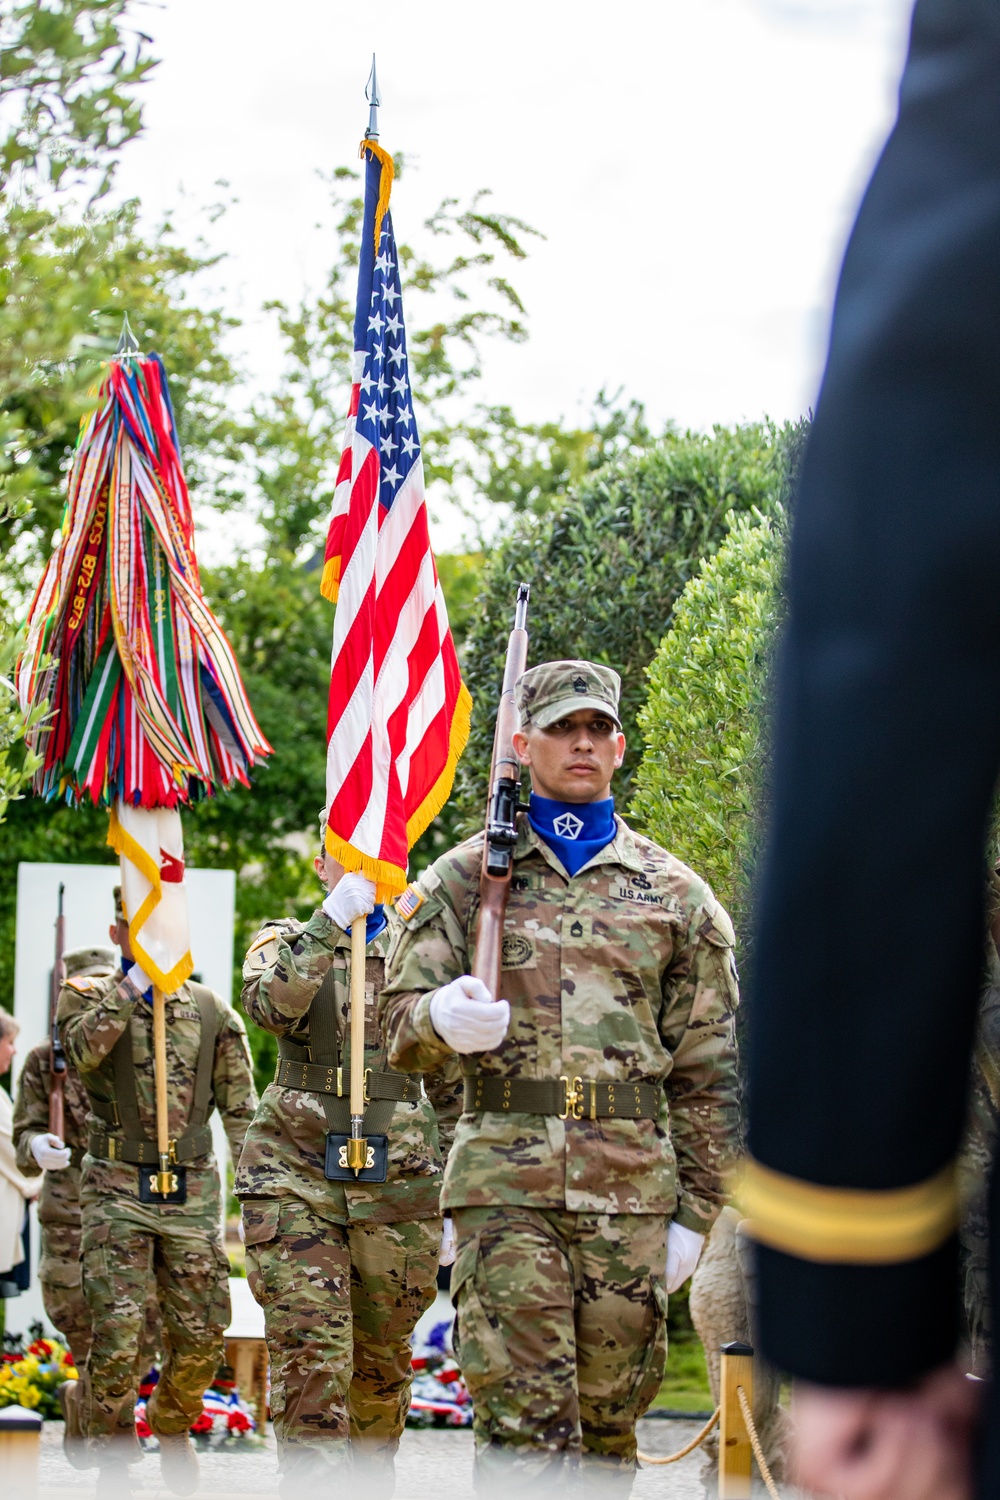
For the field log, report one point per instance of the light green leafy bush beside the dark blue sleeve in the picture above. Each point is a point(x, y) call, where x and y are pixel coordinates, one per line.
point(701, 785)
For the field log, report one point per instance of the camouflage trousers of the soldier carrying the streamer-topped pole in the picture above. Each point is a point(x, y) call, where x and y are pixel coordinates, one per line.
point(124, 1246)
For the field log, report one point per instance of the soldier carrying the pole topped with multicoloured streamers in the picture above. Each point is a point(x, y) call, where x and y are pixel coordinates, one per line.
point(107, 1030)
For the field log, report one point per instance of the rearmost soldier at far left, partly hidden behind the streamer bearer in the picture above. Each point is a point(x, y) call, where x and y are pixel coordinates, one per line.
point(59, 1201)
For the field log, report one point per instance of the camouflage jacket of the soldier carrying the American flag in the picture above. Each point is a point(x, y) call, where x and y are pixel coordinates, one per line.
point(286, 1147)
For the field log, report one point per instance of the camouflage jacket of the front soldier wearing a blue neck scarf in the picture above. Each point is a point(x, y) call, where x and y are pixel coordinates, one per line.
point(620, 973)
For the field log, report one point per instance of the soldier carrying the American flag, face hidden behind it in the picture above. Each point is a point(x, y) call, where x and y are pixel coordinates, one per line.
point(343, 1270)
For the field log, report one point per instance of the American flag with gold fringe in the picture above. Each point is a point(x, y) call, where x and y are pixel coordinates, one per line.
point(400, 713)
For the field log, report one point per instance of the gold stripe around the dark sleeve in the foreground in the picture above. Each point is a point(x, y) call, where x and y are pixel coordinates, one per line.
point(848, 1226)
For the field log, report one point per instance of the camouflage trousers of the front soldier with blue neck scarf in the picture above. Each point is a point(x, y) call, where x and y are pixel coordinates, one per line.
point(563, 1339)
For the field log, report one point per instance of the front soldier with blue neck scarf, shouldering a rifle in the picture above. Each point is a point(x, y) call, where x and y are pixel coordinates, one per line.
point(599, 1102)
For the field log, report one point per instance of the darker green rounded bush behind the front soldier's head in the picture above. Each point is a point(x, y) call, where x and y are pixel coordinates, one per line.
point(606, 568)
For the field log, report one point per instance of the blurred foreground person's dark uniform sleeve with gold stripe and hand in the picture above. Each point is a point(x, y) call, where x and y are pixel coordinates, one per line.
point(888, 748)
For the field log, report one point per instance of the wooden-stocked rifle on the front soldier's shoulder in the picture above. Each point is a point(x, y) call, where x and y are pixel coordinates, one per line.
point(501, 814)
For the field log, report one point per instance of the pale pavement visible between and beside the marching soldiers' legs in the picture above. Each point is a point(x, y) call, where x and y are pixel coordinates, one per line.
point(431, 1463)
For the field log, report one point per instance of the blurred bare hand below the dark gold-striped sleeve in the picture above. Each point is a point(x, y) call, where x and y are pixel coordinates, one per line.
point(887, 1445)
